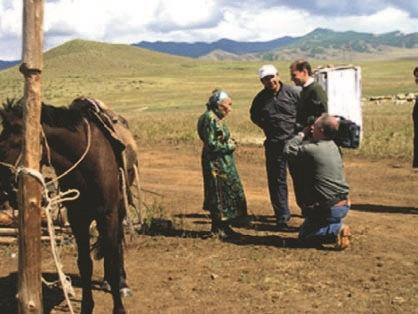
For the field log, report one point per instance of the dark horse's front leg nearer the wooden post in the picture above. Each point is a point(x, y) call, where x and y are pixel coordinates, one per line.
point(85, 265)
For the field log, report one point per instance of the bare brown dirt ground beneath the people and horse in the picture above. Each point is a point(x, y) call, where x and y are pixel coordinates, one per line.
point(180, 270)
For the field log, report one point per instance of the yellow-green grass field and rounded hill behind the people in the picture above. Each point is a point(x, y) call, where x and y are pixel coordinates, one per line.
point(162, 95)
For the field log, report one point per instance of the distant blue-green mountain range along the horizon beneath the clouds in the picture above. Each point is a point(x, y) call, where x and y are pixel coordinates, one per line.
point(319, 44)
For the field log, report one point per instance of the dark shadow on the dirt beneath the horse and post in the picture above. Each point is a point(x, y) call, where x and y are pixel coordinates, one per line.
point(53, 297)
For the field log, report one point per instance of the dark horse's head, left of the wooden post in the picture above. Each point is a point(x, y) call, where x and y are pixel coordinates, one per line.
point(10, 151)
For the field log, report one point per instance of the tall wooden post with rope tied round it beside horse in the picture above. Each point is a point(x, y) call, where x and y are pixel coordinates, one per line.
point(29, 195)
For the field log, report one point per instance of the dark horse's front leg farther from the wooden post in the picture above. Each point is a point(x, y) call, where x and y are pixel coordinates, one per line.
point(111, 235)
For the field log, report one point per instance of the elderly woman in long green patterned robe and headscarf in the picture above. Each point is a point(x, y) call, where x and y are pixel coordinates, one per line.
point(223, 193)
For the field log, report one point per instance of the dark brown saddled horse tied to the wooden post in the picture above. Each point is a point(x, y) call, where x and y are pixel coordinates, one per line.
point(69, 133)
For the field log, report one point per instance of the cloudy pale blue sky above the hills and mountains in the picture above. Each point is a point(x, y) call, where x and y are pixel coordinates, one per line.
point(129, 21)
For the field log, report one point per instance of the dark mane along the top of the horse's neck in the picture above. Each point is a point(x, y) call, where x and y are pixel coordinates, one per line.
point(65, 117)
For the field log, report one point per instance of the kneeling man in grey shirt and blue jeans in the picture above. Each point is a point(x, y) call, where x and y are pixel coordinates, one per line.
point(320, 186)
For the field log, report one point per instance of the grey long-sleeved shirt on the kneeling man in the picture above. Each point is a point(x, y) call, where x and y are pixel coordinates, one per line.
point(318, 171)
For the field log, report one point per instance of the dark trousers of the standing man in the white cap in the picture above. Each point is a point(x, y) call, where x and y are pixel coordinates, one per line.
point(276, 166)
